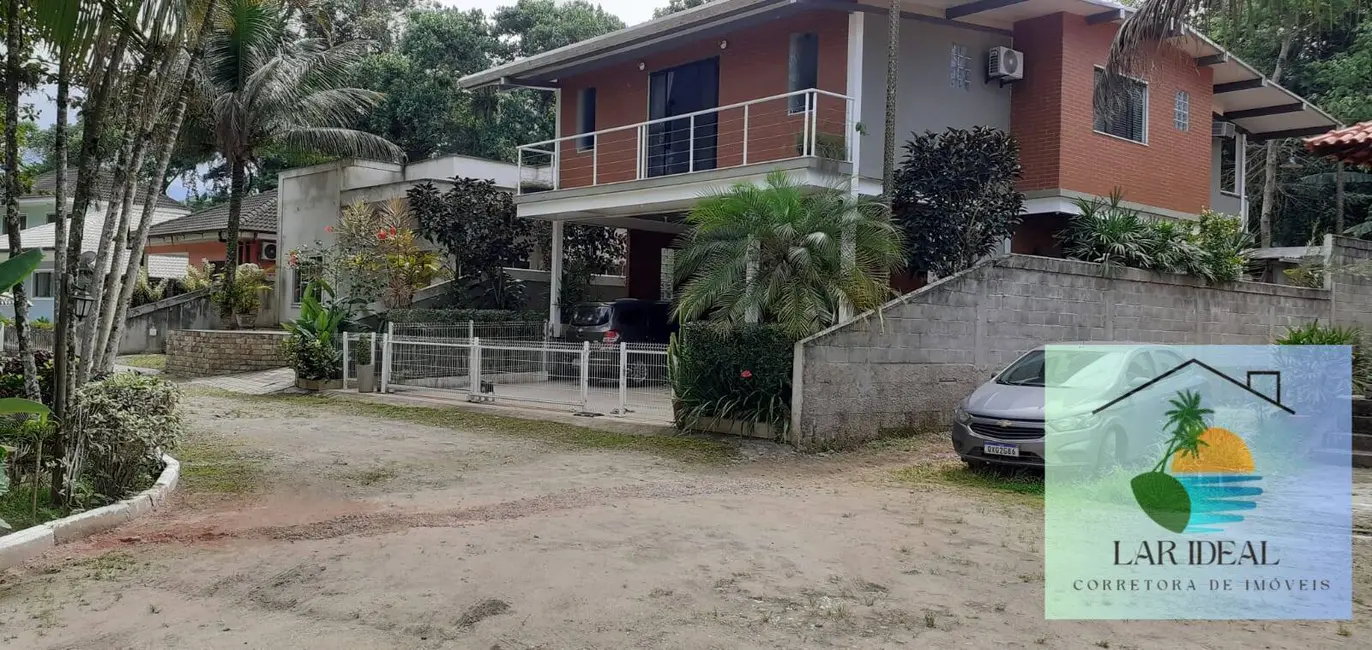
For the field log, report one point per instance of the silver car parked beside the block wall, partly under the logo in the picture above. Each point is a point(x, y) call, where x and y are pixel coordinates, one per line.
point(1004, 420)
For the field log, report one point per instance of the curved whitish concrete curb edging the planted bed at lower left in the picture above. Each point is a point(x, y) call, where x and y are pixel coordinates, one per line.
point(21, 546)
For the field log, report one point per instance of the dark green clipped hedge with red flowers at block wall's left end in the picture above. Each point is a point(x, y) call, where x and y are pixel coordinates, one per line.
point(732, 372)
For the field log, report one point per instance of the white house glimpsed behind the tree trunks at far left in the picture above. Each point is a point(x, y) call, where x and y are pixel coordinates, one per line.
point(40, 210)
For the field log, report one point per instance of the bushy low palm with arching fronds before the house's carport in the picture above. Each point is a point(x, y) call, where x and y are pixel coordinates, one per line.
point(773, 254)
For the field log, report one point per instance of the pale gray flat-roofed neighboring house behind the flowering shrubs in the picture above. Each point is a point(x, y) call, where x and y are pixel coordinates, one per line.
point(312, 200)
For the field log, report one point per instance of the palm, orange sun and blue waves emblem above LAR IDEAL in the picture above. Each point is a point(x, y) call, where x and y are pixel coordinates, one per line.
point(1212, 479)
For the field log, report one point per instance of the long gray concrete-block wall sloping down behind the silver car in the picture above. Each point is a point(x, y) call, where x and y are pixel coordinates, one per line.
point(935, 346)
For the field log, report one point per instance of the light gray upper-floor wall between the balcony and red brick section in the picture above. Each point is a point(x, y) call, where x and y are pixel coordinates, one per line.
point(928, 102)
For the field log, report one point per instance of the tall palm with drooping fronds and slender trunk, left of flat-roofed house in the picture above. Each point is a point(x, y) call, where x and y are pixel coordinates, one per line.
point(265, 88)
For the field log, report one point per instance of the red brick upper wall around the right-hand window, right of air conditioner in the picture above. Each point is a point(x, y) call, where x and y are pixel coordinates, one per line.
point(1052, 115)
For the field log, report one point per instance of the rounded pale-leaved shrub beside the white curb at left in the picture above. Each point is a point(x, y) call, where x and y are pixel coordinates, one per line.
point(128, 422)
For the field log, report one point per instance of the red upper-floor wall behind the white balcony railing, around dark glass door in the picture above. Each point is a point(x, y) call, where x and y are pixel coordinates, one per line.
point(753, 67)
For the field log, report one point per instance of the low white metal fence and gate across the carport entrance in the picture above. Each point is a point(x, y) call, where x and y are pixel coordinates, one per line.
point(517, 363)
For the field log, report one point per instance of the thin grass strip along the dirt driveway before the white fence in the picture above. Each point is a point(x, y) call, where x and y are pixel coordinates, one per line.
point(678, 448)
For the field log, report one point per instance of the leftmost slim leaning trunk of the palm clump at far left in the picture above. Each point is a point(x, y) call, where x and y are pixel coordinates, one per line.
point(64, 348)
